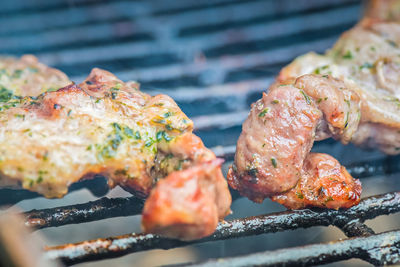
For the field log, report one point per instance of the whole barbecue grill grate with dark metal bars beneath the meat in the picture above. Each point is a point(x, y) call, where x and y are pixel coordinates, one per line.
point(214, 57)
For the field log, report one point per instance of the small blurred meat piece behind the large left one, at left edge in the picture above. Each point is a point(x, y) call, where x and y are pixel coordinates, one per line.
point(26, 76)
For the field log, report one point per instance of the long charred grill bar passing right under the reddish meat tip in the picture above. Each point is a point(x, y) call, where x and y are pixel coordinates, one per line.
point(116, 246)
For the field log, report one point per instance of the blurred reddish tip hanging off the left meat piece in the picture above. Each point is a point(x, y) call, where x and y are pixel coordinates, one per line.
point(189, 203)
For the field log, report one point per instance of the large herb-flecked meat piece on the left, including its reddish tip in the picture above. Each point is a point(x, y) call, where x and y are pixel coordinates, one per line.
point(104, 126)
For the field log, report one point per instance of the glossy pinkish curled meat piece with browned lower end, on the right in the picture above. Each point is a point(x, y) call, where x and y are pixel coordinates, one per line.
point(273, 156)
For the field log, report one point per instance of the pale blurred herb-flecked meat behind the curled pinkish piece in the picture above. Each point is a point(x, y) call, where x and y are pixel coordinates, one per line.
point(367, 60)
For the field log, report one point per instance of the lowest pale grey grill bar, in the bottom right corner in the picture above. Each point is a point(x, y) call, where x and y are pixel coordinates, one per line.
point(381, 249)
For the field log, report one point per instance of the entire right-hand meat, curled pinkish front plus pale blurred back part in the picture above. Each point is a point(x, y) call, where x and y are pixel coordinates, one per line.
point(358, 102)
